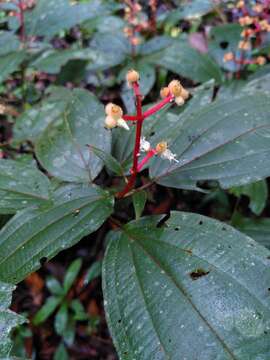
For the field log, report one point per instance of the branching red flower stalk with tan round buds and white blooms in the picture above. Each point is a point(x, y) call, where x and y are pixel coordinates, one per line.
point(174, 92)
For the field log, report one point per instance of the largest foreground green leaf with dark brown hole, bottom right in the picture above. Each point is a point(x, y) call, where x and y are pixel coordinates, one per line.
point(197, 289)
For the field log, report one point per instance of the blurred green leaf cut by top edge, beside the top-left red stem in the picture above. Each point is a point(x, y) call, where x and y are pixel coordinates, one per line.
point(49, 17)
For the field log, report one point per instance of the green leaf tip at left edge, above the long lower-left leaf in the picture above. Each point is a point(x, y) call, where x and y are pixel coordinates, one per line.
point(21, 186)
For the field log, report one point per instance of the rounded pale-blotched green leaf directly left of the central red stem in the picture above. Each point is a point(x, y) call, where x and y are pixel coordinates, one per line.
point(62, 148)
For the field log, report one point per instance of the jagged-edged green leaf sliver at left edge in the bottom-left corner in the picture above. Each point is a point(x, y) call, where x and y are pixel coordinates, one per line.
point(8, 319)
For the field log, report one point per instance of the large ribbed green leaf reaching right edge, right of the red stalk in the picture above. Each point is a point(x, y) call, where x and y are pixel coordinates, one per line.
point(227, 141)
